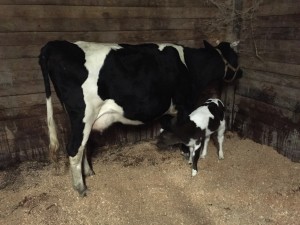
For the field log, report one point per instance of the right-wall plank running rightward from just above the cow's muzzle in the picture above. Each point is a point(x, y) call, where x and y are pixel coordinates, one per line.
point(275, 67)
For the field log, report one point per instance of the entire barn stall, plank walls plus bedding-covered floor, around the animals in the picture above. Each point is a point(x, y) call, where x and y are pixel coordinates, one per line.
point(261, 187)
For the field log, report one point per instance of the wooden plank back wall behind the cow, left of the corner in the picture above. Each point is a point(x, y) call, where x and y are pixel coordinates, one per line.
point(26, 25)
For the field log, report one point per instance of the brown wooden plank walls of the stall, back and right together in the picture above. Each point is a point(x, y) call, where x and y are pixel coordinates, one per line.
point(263, 106)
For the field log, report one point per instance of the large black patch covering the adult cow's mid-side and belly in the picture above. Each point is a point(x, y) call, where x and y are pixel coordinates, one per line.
point(143, 80)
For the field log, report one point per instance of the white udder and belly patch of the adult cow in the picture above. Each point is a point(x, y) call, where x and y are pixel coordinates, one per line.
point(110, 113)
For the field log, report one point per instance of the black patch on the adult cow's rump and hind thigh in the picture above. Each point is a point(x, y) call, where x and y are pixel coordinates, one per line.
point(64, 63)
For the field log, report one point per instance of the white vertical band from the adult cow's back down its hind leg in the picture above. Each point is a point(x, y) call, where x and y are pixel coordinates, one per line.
point(95, 54)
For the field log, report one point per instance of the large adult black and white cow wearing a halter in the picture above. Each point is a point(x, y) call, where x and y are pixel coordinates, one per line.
point(100, 84)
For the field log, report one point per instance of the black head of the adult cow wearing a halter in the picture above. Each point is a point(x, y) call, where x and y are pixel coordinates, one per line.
point(229, 56)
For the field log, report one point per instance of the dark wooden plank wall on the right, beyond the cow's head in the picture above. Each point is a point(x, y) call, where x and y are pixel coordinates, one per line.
point(267, 99)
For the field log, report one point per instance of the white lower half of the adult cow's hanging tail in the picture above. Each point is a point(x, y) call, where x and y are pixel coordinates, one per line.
point(54, 144)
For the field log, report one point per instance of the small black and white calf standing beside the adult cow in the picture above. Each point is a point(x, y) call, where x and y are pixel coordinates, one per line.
point(195, 131)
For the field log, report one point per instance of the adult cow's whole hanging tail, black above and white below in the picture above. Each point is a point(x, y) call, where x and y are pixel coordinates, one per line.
point(54, 143)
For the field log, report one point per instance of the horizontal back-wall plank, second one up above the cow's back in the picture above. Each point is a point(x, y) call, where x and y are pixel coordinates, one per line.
point(89, 24)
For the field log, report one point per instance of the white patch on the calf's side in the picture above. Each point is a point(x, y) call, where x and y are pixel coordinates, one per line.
point(200, 117)
